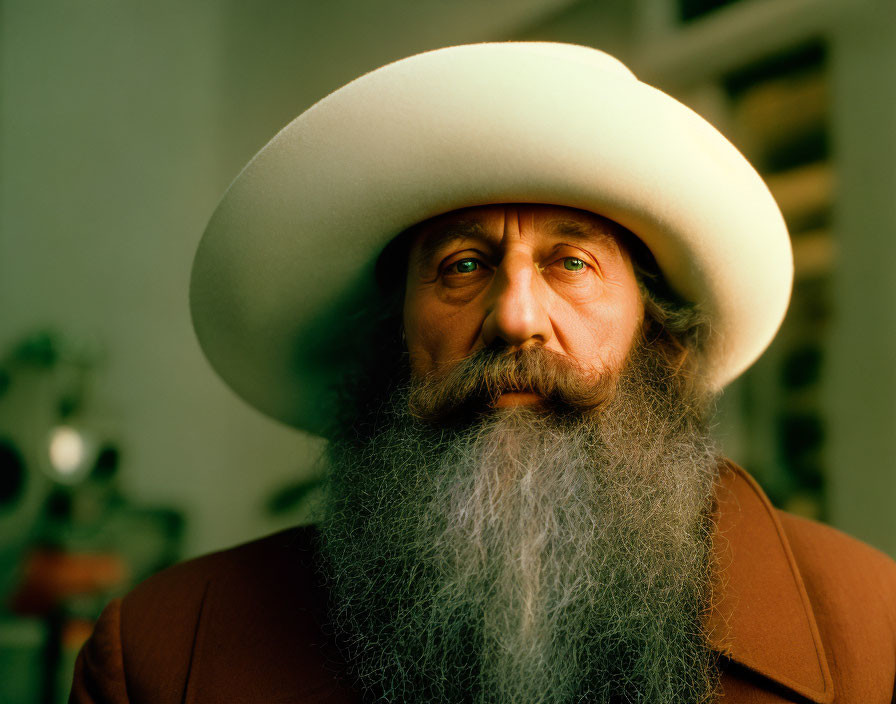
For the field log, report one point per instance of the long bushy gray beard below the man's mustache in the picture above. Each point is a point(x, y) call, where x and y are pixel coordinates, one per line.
point(527, 556)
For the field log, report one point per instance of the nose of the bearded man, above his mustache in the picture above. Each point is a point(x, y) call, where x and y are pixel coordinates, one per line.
point(516, 311)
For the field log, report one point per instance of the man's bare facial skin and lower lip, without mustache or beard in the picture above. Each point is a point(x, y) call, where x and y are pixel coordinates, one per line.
point(518, 276)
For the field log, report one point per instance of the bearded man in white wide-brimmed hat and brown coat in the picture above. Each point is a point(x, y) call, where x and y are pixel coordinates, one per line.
point(505, 281)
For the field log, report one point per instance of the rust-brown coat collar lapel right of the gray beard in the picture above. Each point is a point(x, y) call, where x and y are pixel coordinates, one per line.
point(762, 619)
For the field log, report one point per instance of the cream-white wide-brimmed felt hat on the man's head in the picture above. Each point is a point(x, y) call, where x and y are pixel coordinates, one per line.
point(288, 257)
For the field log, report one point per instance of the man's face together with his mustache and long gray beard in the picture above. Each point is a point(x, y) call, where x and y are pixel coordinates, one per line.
point(517, 511)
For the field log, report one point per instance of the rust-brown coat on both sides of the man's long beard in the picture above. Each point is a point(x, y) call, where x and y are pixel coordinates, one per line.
point(806, 614)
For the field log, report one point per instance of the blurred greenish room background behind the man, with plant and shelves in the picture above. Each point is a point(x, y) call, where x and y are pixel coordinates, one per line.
point(121, 124)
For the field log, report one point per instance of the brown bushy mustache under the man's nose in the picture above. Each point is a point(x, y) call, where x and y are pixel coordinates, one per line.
point(474, 384)
